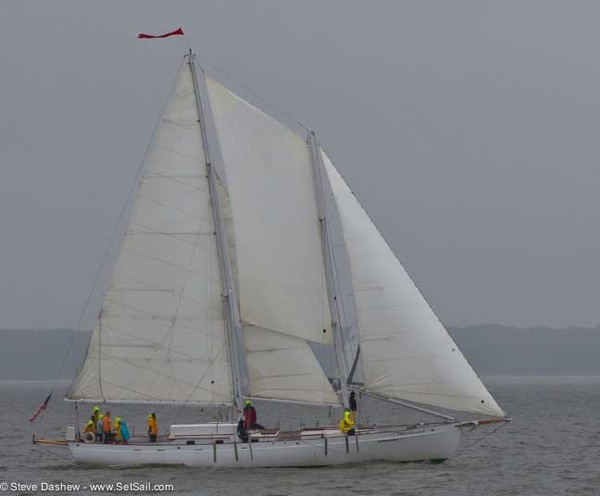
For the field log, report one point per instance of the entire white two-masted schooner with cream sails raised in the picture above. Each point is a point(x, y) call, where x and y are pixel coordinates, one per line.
point(219, 293)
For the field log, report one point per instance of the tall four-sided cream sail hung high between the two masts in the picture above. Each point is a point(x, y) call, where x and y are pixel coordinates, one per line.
point(276, 246)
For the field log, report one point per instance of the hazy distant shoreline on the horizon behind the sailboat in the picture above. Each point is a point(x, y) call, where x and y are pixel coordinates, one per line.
point(493, 350)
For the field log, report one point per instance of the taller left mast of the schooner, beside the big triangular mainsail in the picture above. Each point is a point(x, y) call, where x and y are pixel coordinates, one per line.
point(234, 325)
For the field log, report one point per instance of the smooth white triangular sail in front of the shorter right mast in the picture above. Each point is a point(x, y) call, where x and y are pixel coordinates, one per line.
point(406, 352)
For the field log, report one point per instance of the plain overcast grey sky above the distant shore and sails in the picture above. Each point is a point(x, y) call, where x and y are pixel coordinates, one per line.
point(467, 129)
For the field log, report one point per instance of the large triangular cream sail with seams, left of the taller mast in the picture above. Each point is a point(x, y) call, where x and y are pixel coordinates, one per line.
point(161, 336)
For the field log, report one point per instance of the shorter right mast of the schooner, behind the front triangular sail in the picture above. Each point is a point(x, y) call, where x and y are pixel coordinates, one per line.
point(328, 258)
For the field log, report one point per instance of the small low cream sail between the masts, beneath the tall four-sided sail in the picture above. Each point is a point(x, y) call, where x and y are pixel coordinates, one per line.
point(284, 368)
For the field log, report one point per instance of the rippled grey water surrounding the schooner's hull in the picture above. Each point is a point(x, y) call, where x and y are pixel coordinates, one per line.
point(551, 448)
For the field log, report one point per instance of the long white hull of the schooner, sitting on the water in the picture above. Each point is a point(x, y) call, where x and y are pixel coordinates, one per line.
point(313, 448)
